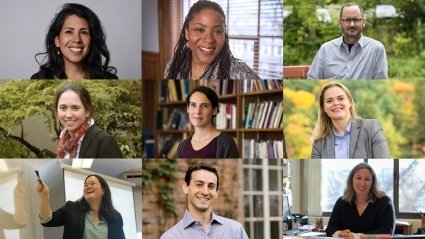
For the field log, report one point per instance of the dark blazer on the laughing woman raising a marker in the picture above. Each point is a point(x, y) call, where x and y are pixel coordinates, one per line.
point(72, 219)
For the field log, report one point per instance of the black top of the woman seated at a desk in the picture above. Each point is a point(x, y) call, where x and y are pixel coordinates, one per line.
point(377, 218)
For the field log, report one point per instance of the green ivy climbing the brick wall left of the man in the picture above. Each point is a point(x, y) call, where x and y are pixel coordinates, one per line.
point(163, 173)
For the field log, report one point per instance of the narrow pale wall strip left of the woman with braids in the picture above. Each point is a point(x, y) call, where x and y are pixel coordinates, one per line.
point(150, 26)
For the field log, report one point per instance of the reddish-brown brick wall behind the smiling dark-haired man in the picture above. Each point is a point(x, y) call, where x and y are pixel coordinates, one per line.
point(229, 202)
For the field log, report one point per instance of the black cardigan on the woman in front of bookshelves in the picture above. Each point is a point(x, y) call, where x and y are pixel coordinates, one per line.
point(225, 147)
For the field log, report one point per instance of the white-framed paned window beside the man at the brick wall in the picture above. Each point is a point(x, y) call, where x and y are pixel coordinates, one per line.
point(263, 198)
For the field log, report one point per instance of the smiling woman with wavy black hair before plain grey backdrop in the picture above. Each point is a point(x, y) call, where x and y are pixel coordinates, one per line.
point(75, 47)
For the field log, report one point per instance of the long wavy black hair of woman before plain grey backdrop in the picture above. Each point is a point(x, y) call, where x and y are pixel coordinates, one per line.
point(95, 64)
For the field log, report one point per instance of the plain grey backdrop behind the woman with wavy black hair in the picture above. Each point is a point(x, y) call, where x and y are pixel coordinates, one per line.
point(24, 24)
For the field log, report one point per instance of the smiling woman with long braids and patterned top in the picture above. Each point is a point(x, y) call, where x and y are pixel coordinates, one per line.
point(202, 51)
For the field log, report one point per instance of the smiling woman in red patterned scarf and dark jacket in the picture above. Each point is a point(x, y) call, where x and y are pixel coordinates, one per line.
point(80, 137)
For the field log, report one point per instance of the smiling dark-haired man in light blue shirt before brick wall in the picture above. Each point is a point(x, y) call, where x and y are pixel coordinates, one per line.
point(199, 220)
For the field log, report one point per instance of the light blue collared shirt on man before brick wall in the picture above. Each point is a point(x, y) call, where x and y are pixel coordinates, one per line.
point(219, 228)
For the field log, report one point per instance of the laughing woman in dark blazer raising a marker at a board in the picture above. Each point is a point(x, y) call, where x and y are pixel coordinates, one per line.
point(91, 216)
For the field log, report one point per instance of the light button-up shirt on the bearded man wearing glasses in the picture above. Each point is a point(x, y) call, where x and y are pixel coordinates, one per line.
point(366, 60)
